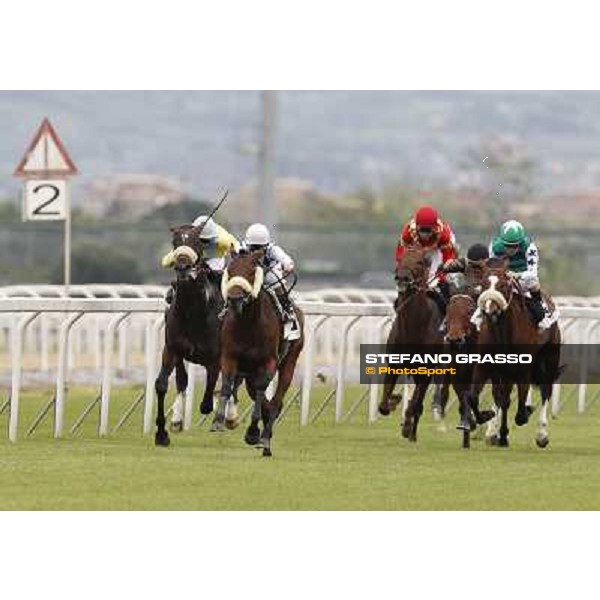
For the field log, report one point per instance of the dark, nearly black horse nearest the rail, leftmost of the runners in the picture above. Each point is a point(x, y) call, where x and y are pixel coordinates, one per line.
point(191, 325)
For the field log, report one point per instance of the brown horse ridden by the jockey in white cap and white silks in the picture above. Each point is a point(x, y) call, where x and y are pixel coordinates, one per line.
point(253, 348)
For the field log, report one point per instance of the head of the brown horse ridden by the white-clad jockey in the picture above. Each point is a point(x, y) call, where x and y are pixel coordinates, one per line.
point(242, 280)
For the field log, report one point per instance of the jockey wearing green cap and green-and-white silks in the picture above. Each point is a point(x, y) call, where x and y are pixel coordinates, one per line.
point(513, 242)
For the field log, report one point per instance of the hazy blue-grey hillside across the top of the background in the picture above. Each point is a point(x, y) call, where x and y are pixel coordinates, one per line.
point(336, 140)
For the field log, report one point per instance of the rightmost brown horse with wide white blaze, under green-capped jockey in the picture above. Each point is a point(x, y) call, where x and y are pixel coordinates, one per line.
point(508, 325)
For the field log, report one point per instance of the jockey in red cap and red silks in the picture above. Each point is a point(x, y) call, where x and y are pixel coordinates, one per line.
point(427, 230)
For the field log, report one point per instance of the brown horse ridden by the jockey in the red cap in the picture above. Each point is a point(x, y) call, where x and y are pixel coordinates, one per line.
point(417, 322)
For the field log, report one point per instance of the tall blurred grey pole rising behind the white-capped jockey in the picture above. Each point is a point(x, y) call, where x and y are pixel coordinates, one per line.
point(267, 208)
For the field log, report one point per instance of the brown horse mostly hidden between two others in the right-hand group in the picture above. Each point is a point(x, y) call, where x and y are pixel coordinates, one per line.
point(461, 336)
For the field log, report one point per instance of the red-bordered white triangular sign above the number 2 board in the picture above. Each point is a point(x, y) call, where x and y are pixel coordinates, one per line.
point(46, 155)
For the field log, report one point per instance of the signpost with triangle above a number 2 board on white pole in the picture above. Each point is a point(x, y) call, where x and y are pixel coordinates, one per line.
point(45, 167)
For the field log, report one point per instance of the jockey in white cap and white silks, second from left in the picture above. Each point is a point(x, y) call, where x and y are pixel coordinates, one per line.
point(277, 265)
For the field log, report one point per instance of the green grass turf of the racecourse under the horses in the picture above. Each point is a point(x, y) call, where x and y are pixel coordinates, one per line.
point(352, 466)
